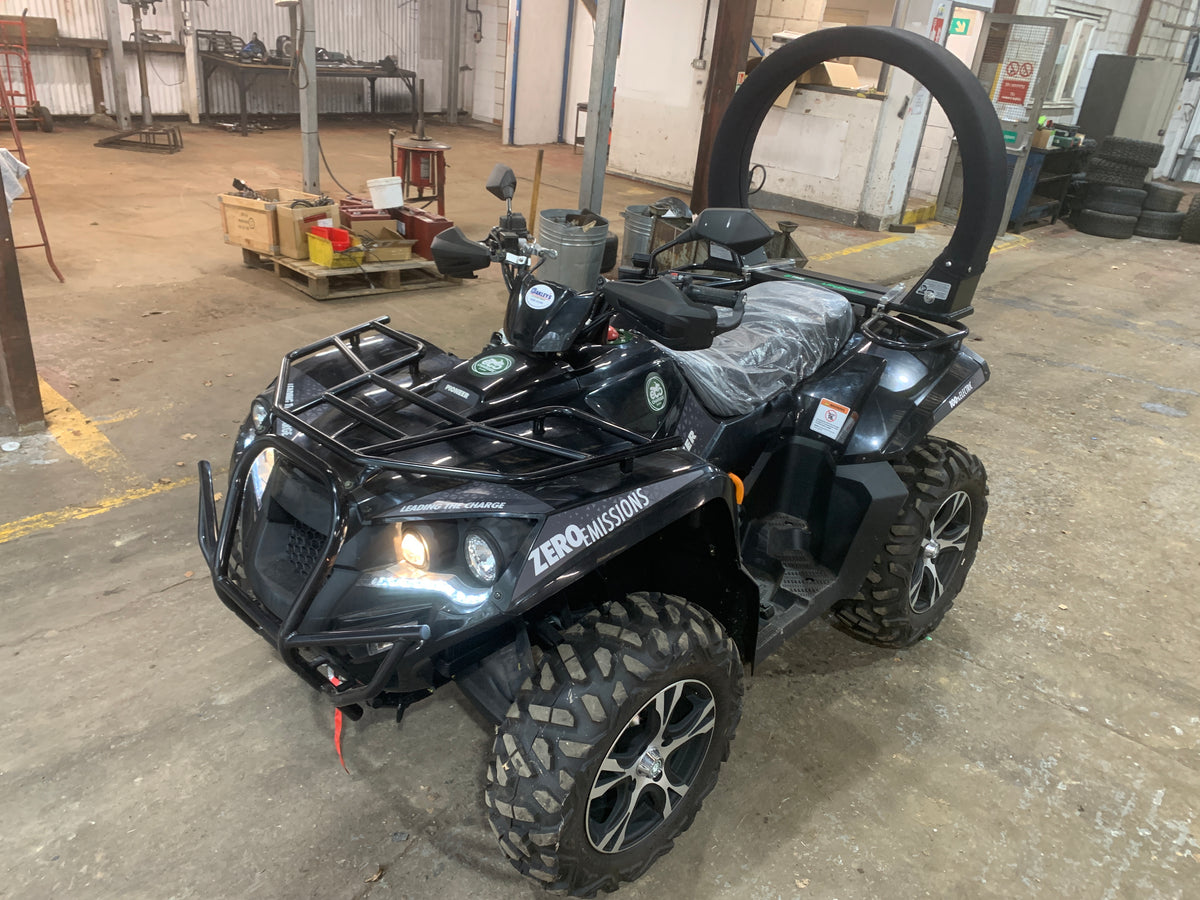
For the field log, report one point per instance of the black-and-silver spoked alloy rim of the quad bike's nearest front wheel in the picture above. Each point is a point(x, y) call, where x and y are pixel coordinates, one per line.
point(651, 766)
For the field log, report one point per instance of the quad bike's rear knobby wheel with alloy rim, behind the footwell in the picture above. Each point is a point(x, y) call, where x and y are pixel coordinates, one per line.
point(929, 551)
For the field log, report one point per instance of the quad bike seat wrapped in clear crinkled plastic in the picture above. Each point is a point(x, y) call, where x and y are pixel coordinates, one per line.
point(790, 331)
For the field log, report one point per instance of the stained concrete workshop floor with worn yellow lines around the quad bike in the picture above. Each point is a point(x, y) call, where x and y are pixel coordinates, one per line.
point(1043, 743)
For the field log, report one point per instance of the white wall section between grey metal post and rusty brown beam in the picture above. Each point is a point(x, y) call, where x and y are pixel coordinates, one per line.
point(661, 98)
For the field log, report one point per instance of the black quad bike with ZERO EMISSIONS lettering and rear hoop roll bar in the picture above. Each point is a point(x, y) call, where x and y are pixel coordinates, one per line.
point(632, 493)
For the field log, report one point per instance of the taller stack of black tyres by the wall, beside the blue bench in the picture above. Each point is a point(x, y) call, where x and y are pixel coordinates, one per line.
point(1117, 191)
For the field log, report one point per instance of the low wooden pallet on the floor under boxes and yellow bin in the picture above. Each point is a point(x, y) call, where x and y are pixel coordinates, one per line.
point(325, 284)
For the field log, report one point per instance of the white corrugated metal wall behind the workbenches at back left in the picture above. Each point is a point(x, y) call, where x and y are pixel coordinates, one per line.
point(368, 31)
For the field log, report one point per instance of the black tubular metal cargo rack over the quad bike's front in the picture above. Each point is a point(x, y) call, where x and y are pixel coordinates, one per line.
point(625, 446)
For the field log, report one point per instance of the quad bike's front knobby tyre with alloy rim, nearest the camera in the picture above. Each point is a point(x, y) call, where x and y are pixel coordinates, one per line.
point(609, 751)
